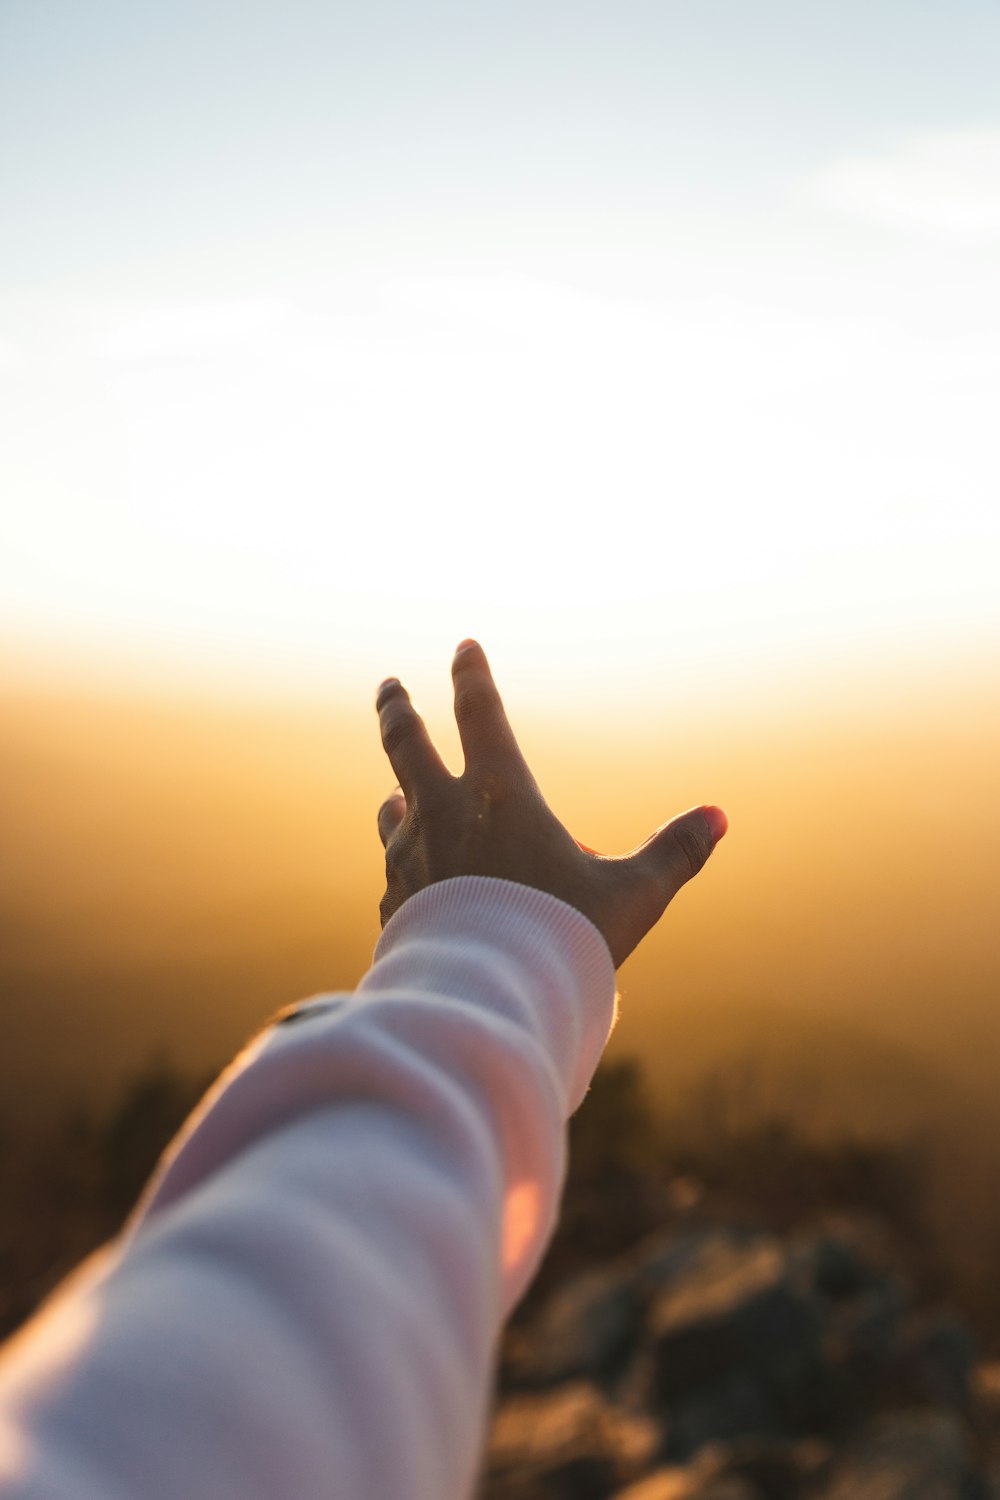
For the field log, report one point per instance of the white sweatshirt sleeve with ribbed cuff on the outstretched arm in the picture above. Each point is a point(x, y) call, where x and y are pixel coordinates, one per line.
point(308, 1300)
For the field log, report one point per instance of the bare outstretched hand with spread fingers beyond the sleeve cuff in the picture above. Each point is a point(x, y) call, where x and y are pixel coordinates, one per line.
point(494, 821)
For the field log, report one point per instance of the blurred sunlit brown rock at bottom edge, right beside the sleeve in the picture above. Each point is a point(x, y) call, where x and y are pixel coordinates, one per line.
point(566, 1445)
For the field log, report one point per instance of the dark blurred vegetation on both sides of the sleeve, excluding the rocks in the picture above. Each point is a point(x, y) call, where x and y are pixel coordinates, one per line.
point(717, 1157)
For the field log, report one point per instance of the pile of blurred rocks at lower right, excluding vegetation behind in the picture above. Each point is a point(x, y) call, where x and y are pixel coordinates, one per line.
point(720, 1363)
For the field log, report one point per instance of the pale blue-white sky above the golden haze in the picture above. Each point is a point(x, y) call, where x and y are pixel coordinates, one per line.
point(662, 335)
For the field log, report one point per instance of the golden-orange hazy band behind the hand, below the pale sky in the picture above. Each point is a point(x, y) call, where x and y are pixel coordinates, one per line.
point(178, 869)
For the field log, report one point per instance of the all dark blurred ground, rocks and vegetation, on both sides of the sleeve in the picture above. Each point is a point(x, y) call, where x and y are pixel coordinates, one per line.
point(731, 1310)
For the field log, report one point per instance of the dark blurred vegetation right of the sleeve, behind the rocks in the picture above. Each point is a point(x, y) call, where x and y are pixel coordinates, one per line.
point(723, 1156)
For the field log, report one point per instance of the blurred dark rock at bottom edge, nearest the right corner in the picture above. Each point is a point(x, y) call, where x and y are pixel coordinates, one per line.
point(908, 1456)
